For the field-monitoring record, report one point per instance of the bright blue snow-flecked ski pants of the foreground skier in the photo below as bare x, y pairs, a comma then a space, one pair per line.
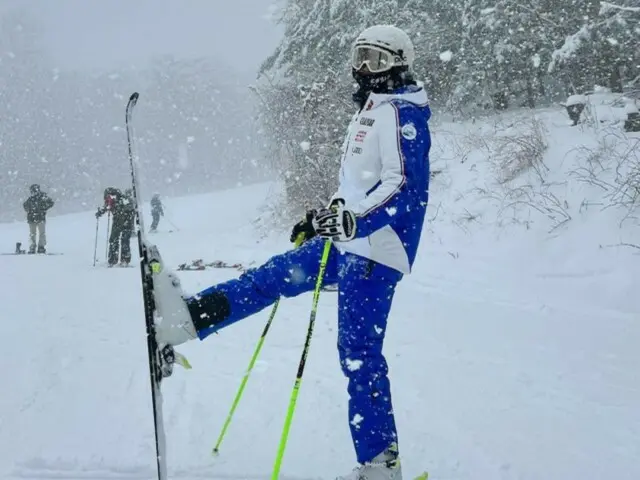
366, 290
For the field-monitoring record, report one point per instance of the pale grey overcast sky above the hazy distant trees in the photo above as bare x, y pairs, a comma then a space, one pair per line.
106, 33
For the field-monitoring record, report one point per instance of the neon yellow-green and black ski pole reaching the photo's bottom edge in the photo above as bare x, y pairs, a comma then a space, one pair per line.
303, 361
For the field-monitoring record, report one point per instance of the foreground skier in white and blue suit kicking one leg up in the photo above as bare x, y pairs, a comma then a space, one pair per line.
374, 222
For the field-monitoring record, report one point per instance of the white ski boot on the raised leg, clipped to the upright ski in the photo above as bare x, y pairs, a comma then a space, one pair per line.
174, 325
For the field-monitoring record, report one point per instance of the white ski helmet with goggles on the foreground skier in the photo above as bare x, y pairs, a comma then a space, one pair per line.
382, 47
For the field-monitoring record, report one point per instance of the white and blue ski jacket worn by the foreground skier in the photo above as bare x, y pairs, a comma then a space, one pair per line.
384, 176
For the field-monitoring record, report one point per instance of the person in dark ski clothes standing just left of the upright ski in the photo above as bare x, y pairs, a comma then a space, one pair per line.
122, 211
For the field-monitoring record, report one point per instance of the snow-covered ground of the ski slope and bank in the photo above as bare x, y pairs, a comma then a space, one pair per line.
513, 351
